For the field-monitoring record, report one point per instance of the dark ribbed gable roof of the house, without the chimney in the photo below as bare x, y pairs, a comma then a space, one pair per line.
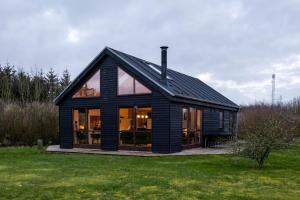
179, 85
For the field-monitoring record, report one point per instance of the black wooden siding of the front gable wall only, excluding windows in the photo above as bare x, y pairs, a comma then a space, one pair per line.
109, 103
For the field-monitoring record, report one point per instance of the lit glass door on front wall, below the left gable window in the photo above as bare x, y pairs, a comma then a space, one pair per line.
87, 126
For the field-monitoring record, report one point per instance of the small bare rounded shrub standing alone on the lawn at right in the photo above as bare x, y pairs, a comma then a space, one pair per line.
262, 129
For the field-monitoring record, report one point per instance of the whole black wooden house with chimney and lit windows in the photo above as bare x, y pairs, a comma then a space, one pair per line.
123, 102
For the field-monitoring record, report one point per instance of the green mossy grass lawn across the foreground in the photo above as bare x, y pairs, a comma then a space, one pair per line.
27, 173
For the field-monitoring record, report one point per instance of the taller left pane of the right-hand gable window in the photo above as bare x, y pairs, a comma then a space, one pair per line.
125, 83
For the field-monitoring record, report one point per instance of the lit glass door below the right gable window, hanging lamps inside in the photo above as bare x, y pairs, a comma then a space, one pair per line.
135, 127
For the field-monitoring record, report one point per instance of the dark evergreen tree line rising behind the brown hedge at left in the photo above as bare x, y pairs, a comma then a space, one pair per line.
20, 86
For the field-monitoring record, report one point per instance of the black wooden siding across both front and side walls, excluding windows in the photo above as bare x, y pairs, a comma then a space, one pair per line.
166, 115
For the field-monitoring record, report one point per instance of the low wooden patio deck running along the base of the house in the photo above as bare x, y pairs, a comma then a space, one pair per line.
187, 152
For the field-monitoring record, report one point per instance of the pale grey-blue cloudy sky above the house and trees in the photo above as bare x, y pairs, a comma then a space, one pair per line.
233, 45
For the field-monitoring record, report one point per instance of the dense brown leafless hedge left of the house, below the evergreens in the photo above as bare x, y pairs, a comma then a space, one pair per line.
25, 124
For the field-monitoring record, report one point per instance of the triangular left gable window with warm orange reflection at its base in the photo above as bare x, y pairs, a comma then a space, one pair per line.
91, 88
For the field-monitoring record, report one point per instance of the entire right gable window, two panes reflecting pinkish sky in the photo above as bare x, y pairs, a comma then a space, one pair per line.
128, 85
